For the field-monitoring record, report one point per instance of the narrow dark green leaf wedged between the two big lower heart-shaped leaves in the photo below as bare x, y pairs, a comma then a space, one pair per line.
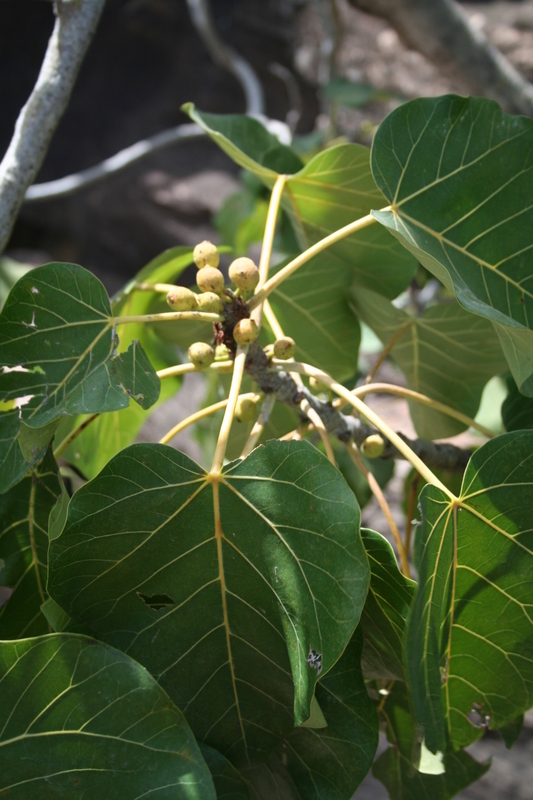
385, 613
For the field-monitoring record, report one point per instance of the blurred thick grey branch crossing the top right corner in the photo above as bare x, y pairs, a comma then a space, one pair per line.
441, 31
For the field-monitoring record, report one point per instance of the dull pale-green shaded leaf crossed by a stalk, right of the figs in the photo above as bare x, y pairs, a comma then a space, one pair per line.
445, 353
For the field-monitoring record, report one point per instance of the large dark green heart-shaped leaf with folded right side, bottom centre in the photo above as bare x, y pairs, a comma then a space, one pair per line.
220, 586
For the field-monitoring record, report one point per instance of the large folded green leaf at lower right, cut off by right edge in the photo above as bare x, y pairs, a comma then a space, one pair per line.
470, 634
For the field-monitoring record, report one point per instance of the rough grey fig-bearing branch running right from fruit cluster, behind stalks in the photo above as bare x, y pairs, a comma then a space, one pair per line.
344, 427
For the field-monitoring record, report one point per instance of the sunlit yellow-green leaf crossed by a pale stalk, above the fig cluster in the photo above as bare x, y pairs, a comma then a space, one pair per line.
334, 189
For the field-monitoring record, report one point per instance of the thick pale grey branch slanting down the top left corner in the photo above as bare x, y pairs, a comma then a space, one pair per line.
73, 30
